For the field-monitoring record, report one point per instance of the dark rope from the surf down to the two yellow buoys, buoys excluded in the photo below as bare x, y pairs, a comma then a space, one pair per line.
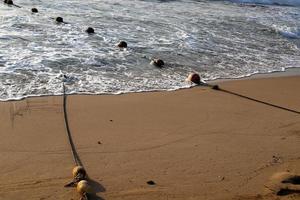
74, 152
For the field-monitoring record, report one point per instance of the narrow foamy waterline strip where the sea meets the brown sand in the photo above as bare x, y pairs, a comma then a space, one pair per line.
294, 71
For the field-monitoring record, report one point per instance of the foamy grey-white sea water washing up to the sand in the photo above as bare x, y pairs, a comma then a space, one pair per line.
217, 39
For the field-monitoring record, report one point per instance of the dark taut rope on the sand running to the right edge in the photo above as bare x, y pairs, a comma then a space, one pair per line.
216, 87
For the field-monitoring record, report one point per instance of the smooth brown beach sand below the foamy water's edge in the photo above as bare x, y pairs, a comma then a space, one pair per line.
194, 144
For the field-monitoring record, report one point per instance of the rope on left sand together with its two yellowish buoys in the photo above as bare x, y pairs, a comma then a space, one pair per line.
80, 177
